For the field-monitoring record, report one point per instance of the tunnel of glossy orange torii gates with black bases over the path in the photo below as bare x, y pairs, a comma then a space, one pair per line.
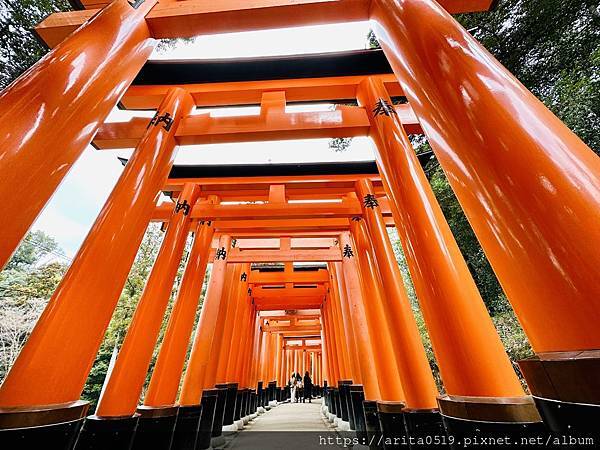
304, 276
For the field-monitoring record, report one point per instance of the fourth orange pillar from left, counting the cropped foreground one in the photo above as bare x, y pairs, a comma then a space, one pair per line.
166, 376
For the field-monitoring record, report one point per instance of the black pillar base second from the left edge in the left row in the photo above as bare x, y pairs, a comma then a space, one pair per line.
100, 433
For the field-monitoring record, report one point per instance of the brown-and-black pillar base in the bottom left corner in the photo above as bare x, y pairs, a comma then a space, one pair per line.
56, 427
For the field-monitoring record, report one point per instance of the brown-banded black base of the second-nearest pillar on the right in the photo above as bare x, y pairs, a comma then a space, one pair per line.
515, 417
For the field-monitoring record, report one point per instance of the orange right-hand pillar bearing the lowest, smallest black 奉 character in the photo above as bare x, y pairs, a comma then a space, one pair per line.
349, 277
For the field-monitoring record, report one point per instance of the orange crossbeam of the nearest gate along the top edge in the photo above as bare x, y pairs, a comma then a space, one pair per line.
178, 19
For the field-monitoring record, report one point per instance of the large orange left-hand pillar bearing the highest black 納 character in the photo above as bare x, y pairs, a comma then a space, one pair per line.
97, 274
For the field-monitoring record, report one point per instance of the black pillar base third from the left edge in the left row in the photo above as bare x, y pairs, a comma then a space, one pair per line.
155, 428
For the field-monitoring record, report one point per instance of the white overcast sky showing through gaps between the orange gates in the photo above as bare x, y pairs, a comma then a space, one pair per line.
71, 212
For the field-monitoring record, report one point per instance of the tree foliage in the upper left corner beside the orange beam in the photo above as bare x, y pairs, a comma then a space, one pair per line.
19, 48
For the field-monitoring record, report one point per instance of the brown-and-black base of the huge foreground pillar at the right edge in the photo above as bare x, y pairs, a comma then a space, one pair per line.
566, 389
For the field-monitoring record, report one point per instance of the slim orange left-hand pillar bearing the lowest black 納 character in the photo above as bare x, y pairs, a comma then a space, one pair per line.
194, 380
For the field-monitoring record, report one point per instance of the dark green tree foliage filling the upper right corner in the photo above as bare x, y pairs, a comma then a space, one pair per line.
553, 48
